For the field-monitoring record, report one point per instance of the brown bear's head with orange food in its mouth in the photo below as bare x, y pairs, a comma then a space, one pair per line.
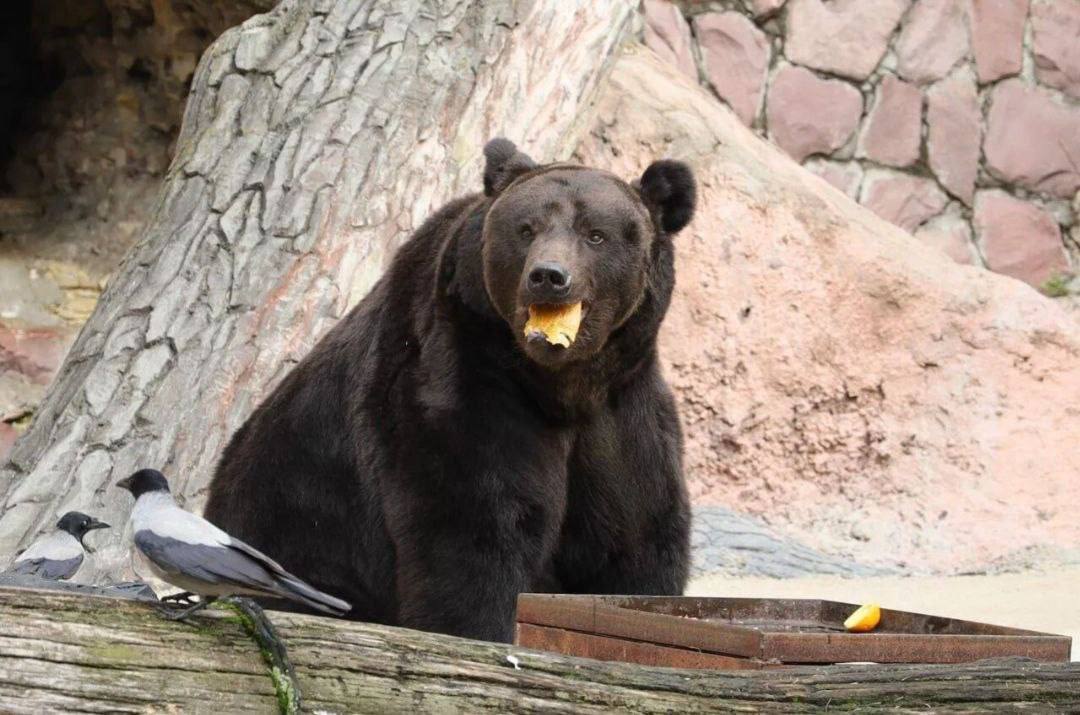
569, 251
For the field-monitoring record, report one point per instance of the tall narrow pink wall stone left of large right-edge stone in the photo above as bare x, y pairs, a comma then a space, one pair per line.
955, 133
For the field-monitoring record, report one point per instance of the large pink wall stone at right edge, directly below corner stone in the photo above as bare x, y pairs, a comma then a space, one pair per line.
1034, 141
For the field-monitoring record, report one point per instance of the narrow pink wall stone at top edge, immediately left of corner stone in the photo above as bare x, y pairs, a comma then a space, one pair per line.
997, 37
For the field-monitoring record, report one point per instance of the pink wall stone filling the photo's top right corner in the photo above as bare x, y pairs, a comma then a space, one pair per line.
1056, 28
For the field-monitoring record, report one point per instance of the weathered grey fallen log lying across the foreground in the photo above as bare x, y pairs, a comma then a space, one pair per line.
61, 653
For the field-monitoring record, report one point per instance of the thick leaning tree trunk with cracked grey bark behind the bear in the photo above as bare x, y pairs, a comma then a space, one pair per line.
316, 139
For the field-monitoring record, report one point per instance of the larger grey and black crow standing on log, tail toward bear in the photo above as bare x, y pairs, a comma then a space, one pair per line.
191, 554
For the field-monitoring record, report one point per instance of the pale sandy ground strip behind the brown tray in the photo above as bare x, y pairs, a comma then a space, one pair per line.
1048, 602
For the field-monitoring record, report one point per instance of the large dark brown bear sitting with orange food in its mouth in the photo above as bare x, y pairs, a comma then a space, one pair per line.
492, 419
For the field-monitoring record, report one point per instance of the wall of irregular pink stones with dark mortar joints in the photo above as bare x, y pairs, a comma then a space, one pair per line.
958, 120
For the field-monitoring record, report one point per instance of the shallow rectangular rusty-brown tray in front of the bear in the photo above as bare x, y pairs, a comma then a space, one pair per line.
754, 633
